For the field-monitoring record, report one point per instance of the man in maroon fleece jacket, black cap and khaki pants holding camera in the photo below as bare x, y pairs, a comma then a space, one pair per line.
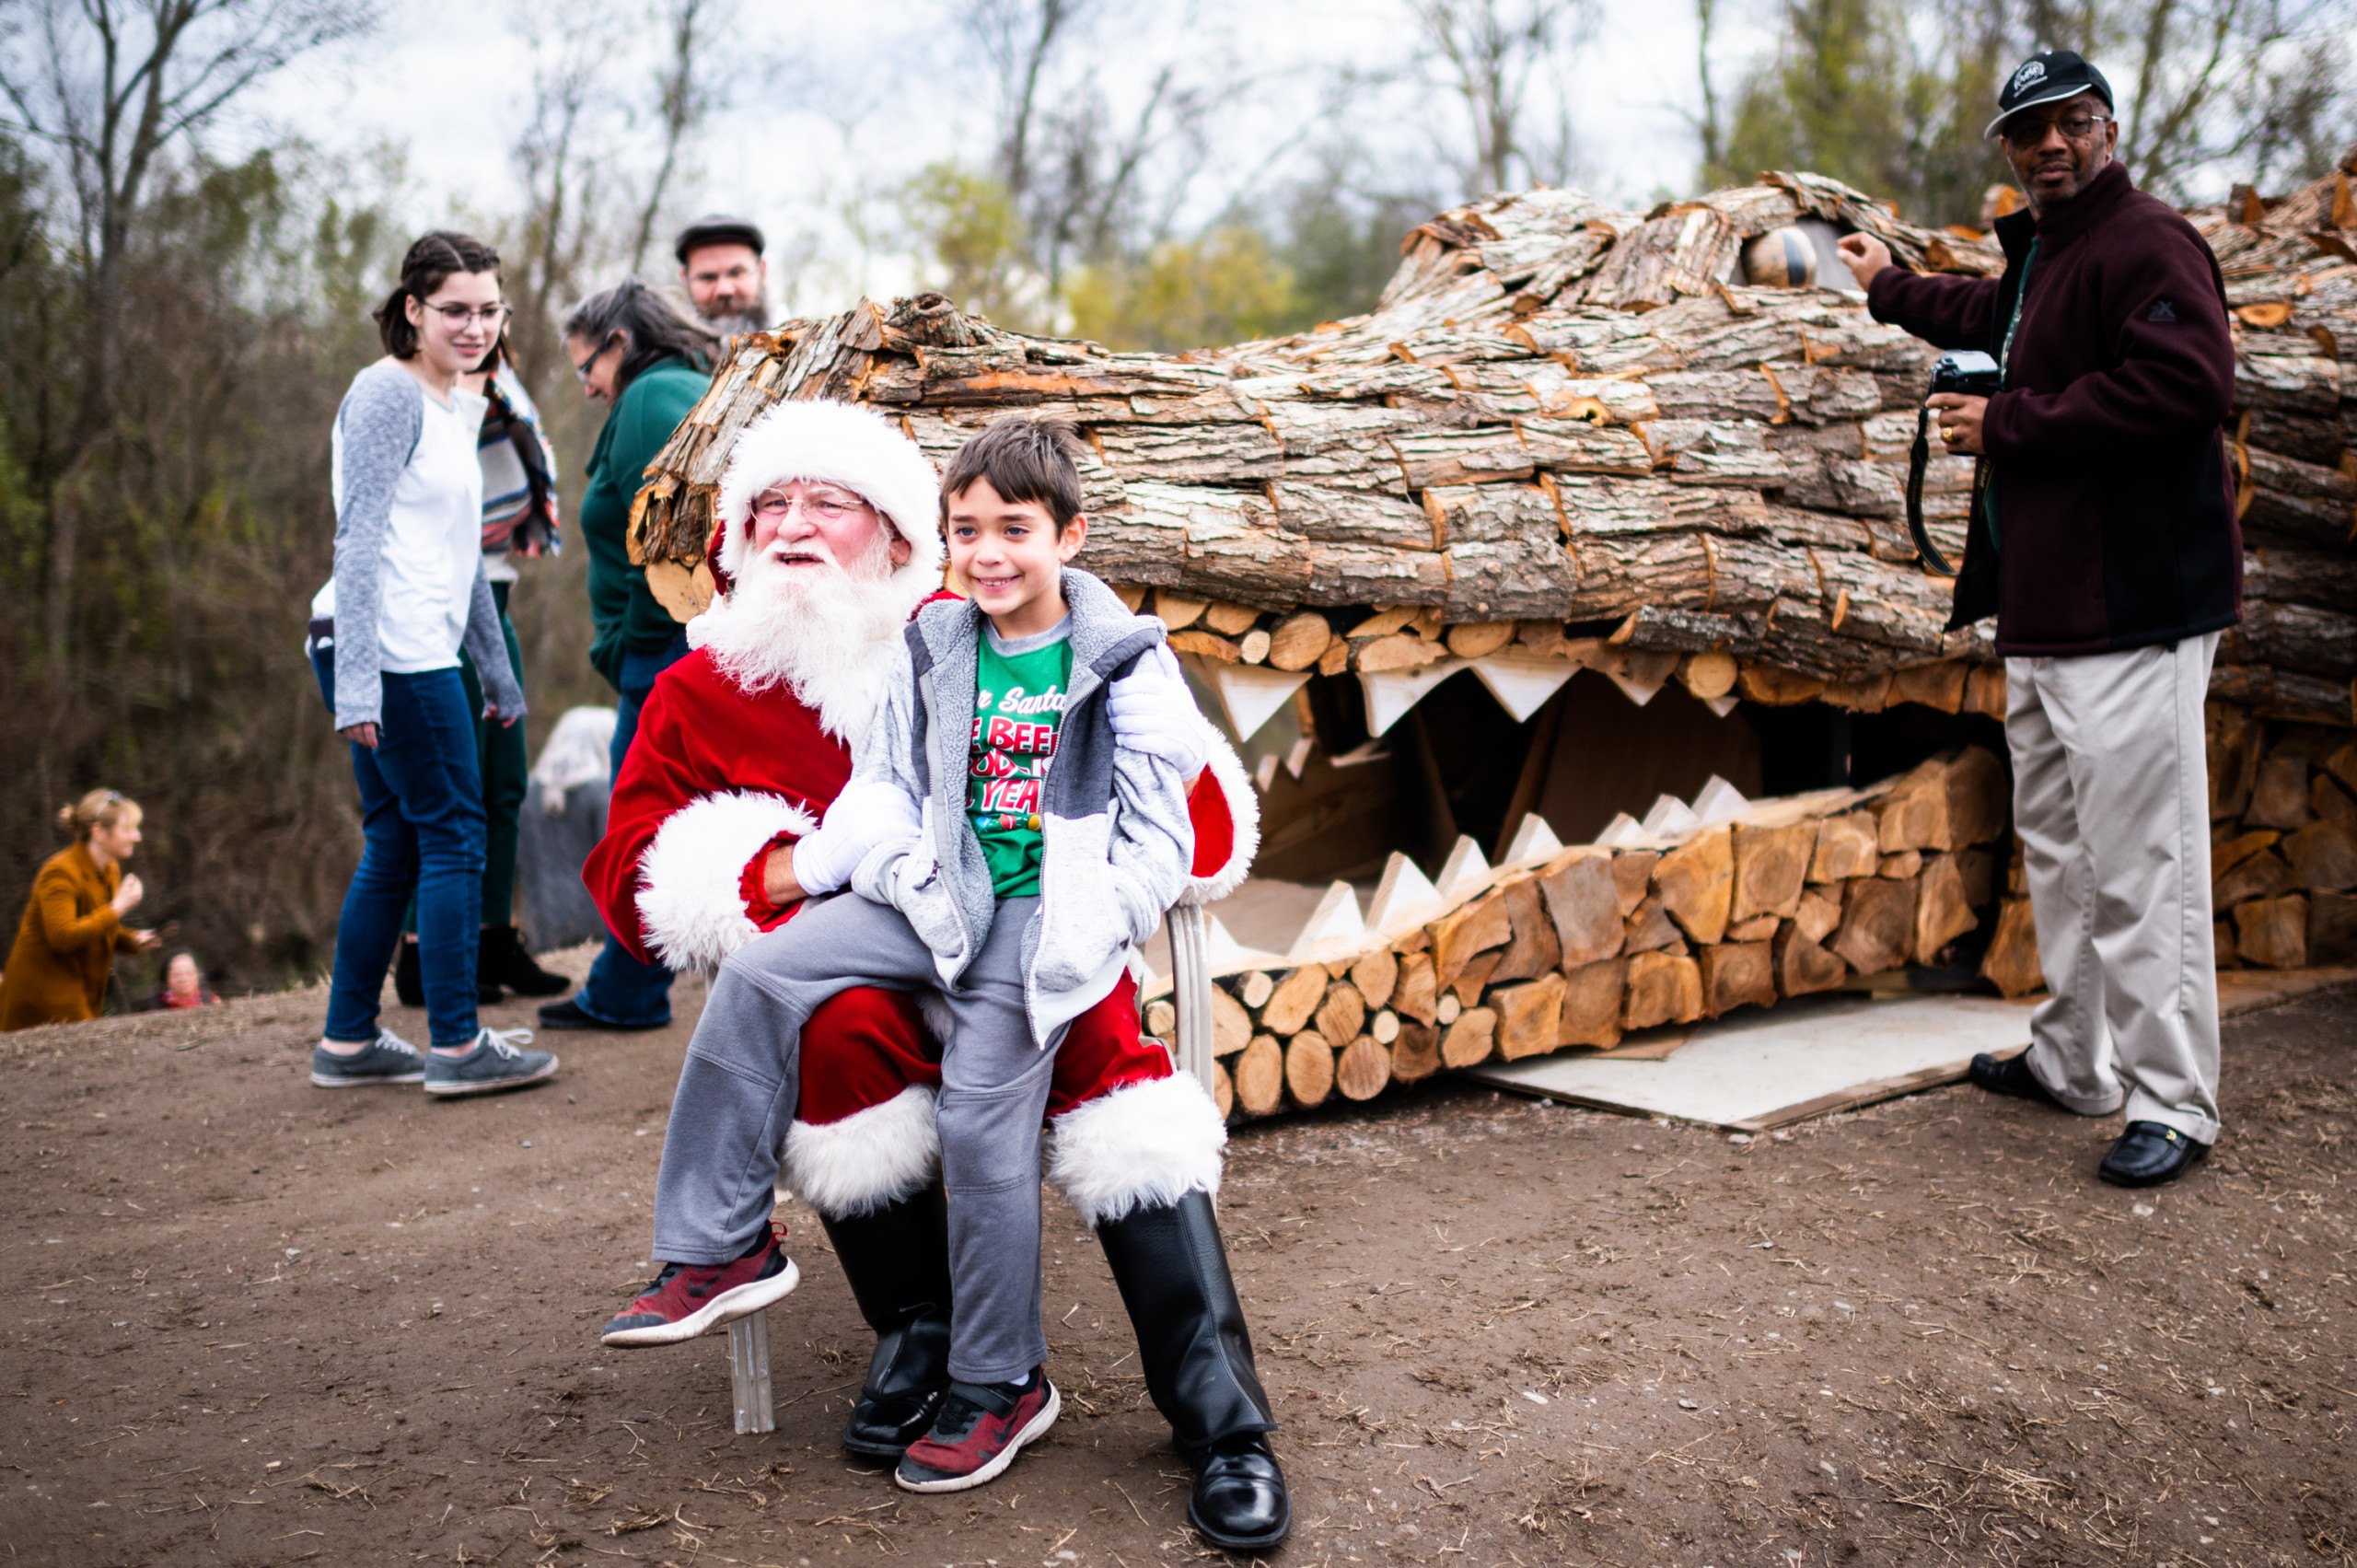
2104, 539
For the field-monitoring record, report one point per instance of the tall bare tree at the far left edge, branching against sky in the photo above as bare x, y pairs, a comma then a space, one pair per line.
112, 88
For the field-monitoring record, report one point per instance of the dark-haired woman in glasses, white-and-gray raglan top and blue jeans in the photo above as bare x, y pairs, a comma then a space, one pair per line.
407, 595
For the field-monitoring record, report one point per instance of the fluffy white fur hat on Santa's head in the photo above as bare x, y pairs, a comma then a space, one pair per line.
836, 444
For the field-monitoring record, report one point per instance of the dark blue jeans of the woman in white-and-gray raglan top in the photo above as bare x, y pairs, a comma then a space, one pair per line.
421, 834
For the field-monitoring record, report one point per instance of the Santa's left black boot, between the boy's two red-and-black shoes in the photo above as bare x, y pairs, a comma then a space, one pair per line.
899, 1267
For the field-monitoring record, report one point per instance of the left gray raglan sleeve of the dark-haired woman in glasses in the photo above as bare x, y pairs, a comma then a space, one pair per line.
383, 419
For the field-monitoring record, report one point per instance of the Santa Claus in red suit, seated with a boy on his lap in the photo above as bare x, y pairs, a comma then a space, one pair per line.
741, 749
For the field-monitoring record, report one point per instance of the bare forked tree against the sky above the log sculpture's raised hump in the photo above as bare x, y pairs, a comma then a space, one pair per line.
1488, 55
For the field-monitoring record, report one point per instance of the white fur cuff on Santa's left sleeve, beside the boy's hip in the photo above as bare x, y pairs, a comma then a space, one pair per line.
692, 902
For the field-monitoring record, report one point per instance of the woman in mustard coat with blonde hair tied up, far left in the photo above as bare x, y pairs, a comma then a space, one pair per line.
74, 921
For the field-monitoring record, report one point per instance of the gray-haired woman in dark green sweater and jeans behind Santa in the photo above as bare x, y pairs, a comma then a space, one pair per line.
647, 362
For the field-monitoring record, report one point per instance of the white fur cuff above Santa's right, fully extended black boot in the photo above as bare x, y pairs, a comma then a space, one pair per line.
1144, 1145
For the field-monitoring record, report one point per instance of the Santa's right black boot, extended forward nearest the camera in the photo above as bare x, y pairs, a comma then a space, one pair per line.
1196, 1352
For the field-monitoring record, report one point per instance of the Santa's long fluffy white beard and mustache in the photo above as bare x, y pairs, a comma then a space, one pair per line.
824, 631
